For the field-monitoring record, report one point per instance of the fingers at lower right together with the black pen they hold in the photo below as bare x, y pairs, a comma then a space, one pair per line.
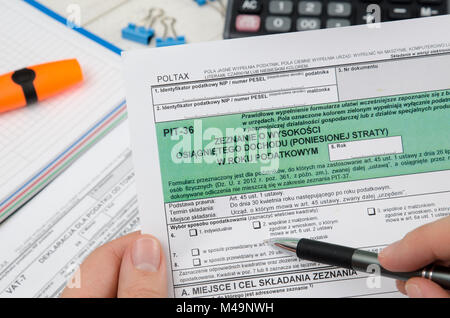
419, 261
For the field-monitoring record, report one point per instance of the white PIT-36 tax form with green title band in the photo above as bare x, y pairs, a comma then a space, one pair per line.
340, 135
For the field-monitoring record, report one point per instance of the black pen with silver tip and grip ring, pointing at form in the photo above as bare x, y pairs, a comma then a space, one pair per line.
356, 259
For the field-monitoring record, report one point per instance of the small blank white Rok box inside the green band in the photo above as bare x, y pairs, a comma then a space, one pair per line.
365, 148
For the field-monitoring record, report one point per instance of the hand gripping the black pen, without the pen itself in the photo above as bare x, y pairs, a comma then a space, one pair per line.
425, 245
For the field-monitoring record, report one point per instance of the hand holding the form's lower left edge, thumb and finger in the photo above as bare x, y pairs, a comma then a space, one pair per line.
131, 266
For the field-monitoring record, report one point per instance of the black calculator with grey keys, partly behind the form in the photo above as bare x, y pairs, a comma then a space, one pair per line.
259, 17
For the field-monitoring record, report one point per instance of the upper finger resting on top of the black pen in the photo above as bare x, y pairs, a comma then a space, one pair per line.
418, 248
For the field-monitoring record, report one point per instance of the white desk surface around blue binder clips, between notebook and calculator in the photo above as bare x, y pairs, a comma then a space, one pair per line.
107, 18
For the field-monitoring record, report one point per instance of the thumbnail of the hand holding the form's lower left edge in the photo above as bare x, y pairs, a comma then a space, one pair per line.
146, 254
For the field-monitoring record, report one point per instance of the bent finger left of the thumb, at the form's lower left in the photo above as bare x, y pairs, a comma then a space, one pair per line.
100, 270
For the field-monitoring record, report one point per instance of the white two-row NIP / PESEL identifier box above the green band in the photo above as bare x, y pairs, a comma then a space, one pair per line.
238, 94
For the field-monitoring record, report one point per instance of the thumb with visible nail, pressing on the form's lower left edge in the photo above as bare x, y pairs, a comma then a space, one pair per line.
143, 270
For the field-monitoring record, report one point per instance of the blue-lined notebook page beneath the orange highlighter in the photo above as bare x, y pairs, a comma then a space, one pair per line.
31, 137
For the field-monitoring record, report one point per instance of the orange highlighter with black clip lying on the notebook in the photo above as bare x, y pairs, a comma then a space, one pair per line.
34, 84
